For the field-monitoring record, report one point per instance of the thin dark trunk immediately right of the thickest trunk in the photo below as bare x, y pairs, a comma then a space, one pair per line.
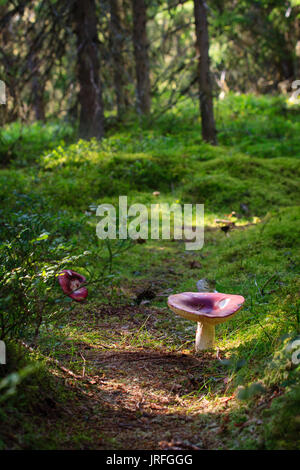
116, 47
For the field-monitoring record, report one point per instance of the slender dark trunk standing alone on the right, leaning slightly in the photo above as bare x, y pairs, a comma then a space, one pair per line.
203, 73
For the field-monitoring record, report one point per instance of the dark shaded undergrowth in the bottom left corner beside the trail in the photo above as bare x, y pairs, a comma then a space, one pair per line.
34, 405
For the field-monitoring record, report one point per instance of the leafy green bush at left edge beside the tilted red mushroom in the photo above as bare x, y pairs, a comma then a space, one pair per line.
34, 248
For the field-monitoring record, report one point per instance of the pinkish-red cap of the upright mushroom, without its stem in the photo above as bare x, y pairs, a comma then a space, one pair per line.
205, 307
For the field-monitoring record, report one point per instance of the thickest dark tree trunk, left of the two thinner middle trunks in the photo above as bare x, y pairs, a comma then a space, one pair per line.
90, 92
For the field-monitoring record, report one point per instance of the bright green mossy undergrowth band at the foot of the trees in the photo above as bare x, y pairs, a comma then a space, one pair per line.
168, 155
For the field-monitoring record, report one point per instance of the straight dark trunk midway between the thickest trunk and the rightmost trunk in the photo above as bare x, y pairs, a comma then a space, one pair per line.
140, 44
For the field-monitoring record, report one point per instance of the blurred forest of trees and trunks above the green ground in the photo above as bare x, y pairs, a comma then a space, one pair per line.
80, 60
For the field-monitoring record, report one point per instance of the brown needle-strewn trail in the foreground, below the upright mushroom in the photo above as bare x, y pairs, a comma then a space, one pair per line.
138, 398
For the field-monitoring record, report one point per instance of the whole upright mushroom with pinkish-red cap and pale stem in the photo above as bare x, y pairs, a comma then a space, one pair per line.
207, 309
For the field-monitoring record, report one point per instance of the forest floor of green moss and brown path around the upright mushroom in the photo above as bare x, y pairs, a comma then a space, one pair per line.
120, 371
